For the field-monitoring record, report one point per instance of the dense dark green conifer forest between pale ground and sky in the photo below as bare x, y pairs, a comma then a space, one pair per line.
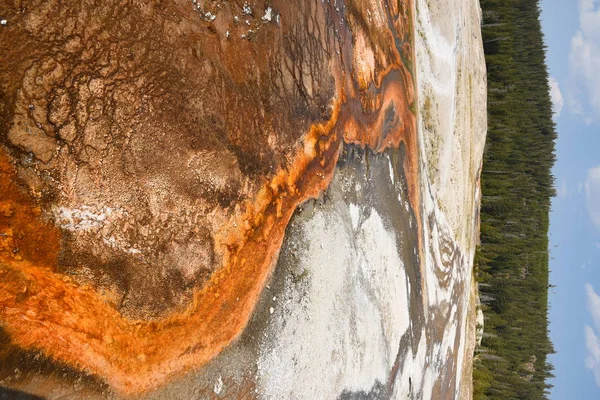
512, 260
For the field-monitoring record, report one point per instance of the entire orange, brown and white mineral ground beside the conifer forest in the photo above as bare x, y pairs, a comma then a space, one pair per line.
239, 199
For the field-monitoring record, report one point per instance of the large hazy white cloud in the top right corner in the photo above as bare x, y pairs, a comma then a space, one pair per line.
584, 62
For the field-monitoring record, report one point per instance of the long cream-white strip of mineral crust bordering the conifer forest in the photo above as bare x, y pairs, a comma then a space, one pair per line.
452, 86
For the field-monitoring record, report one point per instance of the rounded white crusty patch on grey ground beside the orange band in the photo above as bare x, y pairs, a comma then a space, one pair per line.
333, 332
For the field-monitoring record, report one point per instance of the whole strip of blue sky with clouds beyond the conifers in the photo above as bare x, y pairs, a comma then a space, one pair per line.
572, 32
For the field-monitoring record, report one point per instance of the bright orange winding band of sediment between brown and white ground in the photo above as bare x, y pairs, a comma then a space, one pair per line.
70, 322
